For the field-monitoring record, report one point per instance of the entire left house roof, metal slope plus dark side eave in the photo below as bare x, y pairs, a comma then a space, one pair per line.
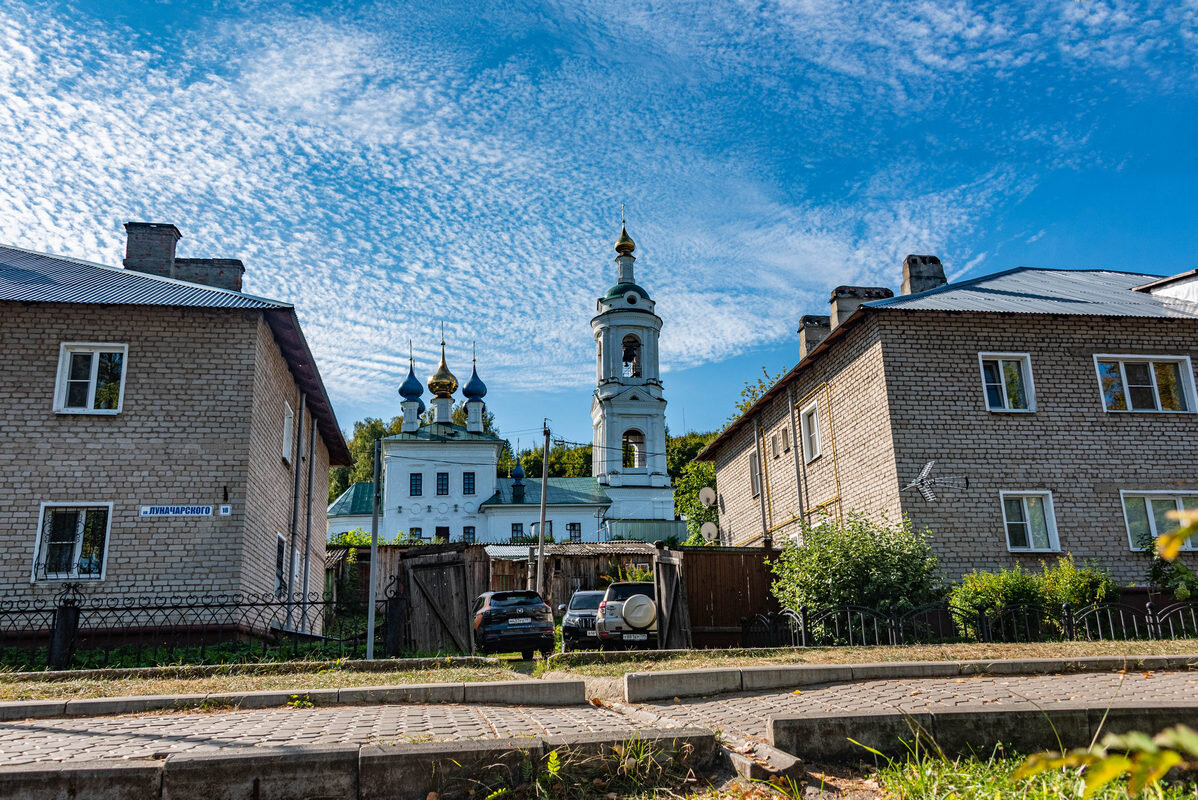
29, 277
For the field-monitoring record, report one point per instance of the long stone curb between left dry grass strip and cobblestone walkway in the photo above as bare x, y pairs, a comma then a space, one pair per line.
500, 693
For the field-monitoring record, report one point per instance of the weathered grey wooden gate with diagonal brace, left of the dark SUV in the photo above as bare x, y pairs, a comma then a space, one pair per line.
438, 589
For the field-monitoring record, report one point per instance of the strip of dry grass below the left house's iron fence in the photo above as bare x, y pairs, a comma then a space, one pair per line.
20, 690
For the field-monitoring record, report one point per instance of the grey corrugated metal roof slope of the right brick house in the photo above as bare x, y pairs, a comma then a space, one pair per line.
1046, 292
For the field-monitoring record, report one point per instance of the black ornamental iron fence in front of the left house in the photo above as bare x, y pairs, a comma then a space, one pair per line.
74, 631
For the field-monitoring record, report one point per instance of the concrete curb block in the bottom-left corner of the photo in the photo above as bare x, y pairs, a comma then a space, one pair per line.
111, 780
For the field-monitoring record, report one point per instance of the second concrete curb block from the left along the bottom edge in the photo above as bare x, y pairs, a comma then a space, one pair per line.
329, 773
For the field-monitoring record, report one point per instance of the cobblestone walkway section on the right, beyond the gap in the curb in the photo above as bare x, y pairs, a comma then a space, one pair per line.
746, 714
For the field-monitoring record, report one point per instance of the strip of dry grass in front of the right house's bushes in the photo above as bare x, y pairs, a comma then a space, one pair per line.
625, 663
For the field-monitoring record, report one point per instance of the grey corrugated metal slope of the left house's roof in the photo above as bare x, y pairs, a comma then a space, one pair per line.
32, 277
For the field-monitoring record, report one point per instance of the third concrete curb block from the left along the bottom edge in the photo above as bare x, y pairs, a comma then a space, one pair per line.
449, 768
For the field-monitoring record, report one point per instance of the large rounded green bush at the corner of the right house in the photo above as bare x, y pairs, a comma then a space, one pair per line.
857, 562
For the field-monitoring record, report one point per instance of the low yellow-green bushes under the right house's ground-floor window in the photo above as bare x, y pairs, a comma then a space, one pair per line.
1052, 587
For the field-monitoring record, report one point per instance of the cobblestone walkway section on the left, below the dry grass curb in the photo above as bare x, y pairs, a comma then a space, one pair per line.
160, 735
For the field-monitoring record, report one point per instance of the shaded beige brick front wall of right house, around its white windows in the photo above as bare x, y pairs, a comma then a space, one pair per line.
1070, 446
